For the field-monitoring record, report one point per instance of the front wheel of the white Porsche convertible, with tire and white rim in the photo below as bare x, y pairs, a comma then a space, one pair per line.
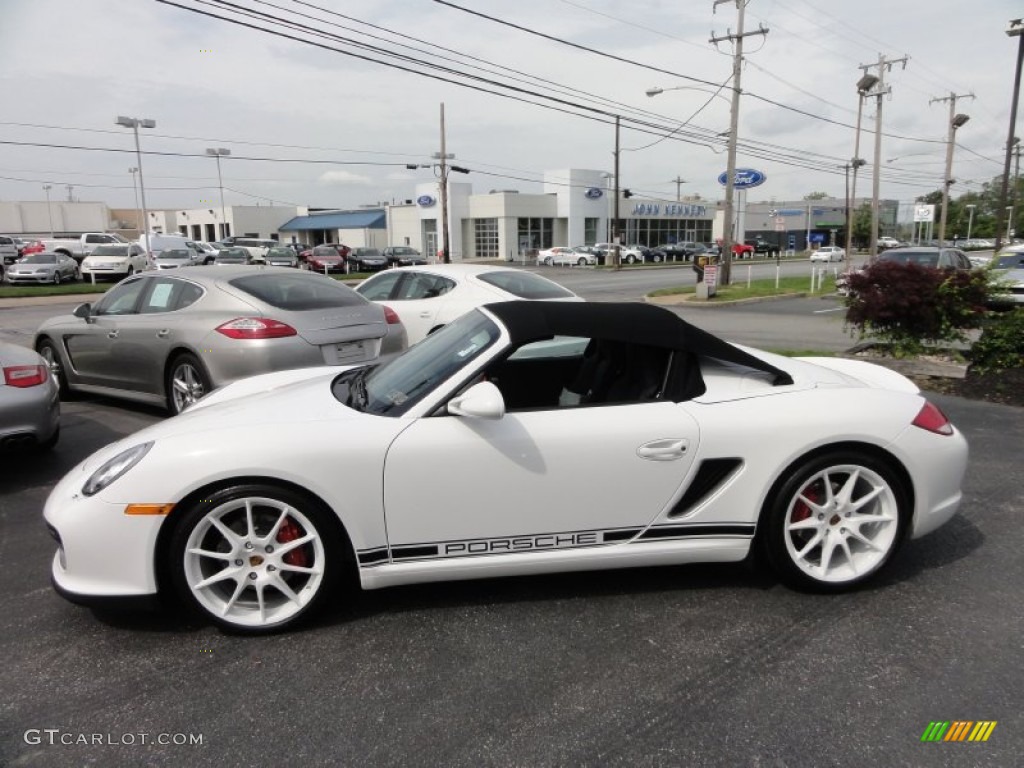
257, 559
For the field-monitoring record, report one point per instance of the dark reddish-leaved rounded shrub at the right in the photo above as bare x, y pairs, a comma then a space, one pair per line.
910, 307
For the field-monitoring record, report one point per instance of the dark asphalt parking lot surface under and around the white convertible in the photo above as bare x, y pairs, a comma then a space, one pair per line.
716, 666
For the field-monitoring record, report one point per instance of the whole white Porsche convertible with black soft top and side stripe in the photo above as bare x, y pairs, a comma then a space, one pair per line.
525, 438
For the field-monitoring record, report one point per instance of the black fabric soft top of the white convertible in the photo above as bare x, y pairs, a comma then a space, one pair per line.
631, 323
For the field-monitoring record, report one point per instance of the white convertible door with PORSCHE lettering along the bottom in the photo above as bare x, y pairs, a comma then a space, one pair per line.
534, 480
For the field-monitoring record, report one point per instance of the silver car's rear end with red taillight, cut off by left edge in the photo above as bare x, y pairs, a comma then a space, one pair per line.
30, 406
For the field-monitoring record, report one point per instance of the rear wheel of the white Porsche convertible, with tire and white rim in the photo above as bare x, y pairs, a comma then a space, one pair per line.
836, 523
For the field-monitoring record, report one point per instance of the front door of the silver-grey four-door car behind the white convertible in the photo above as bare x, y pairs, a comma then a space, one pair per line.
92, 344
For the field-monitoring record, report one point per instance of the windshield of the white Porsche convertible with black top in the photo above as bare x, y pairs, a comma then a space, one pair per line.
395, 388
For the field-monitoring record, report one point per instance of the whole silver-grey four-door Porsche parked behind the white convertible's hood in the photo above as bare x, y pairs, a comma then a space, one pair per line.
170, 337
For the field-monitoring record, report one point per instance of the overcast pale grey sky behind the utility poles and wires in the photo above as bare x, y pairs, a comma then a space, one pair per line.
71, 67
